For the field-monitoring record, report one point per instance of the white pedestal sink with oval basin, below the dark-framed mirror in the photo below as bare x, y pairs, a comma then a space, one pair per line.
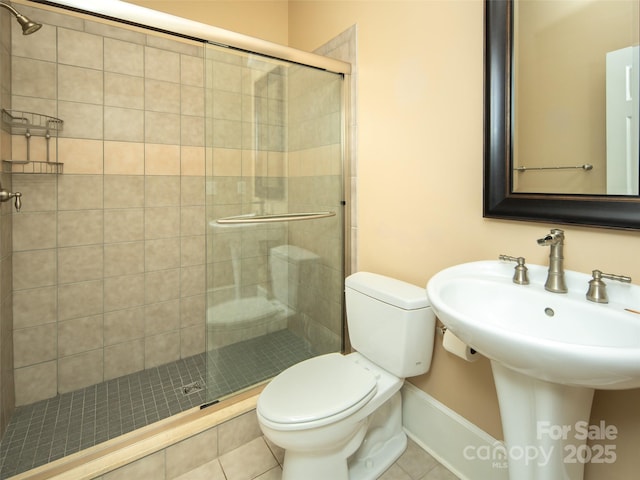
548, 353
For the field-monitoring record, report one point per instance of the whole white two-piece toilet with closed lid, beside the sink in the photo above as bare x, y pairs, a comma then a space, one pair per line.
337, 416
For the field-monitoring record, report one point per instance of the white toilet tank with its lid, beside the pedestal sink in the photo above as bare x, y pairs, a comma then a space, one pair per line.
390, 322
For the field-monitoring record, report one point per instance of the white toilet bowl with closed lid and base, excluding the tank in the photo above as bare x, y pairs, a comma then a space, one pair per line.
326, 417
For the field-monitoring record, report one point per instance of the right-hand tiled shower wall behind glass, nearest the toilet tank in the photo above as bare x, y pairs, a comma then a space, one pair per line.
315, 184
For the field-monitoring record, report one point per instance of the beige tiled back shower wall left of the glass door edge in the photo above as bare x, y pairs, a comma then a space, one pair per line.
109, 257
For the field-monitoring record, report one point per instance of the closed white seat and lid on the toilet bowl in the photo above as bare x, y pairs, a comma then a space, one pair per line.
316, 392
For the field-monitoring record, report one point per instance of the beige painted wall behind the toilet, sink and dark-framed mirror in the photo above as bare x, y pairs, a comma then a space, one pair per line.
420, 180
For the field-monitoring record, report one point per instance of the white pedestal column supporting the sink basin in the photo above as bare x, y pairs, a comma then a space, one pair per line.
539, 424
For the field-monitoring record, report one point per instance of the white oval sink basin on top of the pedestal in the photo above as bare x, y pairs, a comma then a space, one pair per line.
561, 338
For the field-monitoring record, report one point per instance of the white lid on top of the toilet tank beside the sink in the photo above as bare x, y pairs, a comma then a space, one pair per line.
389, 290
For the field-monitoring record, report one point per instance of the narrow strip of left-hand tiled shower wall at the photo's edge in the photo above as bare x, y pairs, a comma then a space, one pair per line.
6, 315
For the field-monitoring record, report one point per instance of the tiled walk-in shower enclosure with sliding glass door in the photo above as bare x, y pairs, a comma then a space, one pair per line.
182, 237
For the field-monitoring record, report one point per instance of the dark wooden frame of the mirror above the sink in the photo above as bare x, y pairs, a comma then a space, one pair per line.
612, 211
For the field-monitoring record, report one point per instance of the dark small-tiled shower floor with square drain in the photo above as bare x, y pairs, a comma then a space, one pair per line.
51, 429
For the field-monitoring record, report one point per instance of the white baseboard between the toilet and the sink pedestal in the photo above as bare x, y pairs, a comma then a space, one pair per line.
455, 442
